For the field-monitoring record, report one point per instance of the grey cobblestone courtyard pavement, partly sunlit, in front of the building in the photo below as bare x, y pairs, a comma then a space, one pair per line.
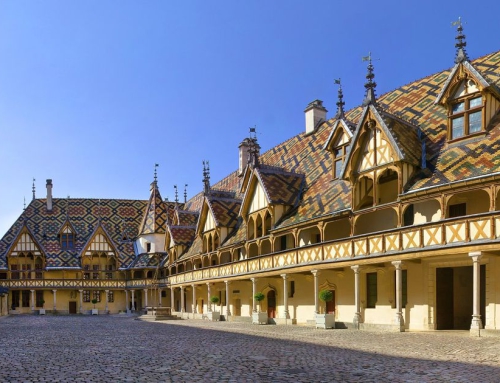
121, 349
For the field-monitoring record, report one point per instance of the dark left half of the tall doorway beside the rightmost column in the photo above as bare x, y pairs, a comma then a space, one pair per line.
444, 298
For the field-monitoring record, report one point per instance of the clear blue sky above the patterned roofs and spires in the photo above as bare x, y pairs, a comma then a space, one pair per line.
94, 93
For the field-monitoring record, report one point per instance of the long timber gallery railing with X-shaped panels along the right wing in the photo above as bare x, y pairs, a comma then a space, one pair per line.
450, 232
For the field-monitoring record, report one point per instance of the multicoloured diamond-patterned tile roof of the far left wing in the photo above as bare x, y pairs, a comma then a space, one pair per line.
116, 216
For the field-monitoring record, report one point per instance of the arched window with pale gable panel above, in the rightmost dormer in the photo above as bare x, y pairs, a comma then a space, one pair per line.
466, 114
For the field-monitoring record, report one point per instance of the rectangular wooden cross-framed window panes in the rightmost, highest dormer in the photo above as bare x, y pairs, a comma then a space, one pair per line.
466, 116
